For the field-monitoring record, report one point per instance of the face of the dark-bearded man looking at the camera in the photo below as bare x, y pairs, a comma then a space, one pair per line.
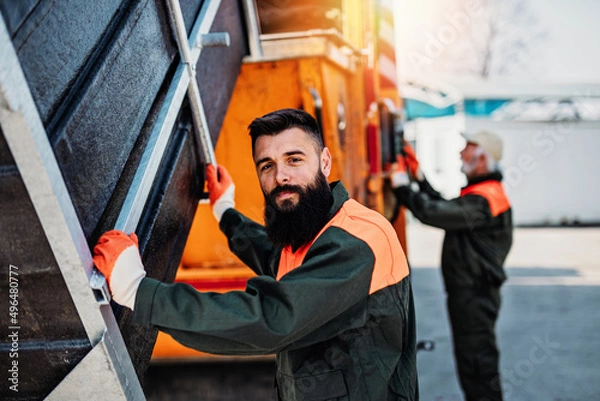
287, 162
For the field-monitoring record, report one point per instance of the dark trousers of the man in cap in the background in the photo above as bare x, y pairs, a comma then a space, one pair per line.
473, 313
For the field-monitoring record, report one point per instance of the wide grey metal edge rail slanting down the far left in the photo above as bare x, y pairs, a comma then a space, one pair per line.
29, 145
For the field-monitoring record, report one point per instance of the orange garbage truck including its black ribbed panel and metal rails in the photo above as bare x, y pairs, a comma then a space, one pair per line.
108, 115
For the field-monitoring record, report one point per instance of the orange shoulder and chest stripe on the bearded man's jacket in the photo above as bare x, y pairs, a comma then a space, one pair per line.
390, 262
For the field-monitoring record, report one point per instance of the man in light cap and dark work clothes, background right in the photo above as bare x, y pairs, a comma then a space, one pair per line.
478, 236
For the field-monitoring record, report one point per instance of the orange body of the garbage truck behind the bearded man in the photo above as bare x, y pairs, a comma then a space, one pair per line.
334, 59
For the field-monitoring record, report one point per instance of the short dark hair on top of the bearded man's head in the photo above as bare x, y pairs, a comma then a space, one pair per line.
277, 121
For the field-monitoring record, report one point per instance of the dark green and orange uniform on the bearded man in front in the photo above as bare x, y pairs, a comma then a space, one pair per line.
338, 312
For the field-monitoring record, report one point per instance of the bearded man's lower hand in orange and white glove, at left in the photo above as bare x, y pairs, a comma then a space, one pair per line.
117, 257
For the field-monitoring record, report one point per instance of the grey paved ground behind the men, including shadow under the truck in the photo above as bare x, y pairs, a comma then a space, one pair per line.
548, 327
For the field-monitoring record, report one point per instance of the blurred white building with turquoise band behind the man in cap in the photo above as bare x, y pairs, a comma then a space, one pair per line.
551, 136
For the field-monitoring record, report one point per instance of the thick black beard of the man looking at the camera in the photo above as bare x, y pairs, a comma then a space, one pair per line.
297, 225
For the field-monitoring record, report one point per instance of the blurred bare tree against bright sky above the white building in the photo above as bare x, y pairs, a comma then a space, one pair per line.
479, 38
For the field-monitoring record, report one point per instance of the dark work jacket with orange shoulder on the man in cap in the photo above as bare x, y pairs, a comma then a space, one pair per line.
478, 225
